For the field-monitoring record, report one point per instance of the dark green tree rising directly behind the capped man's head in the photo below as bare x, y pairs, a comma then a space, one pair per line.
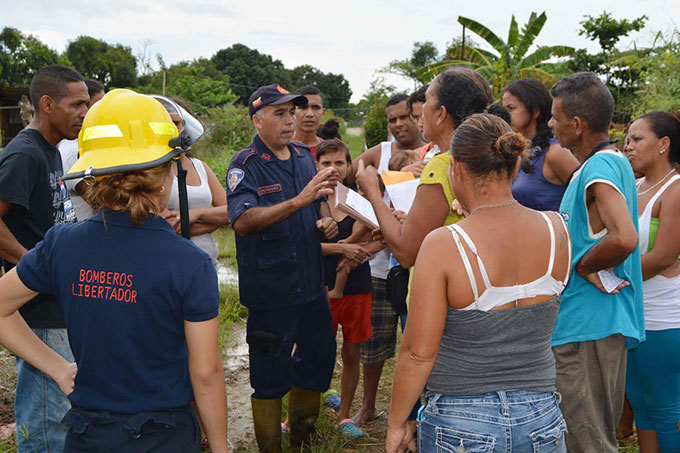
248, 69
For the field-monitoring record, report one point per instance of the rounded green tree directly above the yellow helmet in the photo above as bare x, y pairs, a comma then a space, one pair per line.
113, 65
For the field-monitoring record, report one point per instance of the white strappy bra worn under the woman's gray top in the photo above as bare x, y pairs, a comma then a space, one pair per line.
494, 296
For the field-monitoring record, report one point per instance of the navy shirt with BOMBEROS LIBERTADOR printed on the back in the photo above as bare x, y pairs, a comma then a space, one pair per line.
125, 291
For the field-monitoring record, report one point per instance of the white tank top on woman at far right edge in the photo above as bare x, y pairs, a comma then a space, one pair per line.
661, 294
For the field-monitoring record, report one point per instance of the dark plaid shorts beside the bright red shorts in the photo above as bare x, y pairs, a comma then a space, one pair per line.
384, 320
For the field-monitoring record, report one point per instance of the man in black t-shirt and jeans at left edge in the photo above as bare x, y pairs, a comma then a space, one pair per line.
32, 199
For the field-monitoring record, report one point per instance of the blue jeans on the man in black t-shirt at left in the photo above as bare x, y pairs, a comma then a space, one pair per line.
39, 403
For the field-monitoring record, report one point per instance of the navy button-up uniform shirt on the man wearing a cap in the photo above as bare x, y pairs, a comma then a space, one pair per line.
282, 265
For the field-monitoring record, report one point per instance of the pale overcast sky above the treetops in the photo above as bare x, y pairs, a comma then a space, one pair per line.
351, 37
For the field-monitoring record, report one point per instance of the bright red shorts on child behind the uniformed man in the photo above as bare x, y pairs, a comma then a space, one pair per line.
353, 313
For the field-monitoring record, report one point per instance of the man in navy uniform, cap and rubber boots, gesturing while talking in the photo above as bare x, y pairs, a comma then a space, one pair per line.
273, 194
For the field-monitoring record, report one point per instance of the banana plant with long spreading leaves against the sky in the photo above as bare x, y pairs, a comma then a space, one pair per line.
510, 60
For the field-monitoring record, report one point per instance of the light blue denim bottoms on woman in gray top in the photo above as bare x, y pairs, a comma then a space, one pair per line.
505, 421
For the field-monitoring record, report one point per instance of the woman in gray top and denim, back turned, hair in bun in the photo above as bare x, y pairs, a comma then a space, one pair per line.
484, 301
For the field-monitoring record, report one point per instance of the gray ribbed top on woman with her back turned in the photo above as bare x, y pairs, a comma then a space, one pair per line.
488, 351
